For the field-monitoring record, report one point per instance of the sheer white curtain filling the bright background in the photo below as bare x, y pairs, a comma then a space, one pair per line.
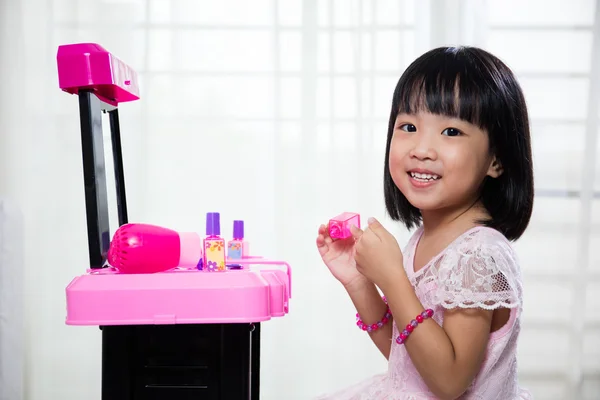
282, 106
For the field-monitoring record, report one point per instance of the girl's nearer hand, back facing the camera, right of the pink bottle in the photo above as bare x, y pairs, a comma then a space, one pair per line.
377, 254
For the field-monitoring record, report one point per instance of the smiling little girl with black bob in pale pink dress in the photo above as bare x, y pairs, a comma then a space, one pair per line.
458, 167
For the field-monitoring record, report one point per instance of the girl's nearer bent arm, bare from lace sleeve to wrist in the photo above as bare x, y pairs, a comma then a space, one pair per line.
449, 357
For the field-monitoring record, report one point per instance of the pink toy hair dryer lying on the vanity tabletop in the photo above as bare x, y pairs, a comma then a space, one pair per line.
146, 249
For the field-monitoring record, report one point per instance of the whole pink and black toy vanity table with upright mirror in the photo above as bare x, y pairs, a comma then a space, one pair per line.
180, 334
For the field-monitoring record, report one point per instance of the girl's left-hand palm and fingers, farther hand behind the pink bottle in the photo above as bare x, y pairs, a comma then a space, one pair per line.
338, 255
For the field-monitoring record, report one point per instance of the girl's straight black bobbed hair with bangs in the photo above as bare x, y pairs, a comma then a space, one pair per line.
473, 85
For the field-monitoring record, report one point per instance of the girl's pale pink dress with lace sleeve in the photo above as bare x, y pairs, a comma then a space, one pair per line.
479, 269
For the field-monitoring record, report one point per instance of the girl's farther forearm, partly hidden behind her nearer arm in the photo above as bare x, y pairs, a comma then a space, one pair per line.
371, 308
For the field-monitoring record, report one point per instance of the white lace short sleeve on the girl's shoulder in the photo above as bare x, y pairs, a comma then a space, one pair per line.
480, 272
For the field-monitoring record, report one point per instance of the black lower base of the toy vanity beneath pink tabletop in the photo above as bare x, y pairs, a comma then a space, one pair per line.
181, 362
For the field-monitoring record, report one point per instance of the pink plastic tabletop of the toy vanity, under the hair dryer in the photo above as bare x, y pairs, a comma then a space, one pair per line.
106, 297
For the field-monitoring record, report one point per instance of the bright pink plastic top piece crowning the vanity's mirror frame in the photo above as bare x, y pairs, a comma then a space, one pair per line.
89, 66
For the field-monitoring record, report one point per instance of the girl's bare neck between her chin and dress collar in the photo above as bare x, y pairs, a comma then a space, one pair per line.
455, 220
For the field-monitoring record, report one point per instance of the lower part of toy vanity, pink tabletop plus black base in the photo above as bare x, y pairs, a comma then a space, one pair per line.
181, 334
